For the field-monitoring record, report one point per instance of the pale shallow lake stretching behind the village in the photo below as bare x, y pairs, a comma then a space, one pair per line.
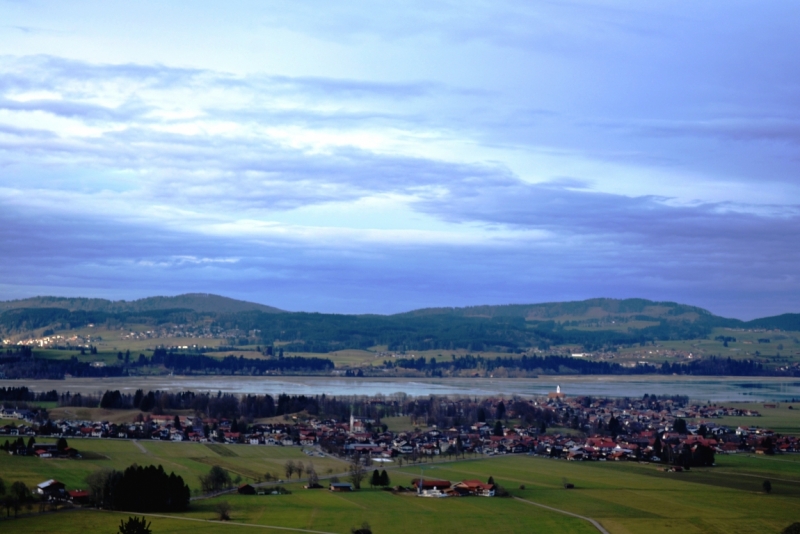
716, 389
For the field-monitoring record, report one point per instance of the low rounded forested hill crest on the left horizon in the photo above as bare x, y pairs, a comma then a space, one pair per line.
196, 302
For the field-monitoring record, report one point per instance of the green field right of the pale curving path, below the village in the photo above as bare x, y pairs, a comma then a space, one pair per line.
629, 497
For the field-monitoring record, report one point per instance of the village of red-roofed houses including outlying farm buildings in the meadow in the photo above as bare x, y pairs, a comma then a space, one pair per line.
669, 433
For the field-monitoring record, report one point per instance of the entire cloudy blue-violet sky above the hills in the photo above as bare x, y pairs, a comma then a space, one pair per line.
362, 157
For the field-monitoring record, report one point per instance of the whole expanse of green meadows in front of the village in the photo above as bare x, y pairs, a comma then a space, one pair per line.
625, 497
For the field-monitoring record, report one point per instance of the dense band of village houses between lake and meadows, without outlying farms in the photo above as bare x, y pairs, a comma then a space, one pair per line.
639, 430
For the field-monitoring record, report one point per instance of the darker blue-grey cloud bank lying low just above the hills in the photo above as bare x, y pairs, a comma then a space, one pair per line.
89, 255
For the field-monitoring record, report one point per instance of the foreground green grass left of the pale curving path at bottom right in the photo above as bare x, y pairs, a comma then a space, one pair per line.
323, 511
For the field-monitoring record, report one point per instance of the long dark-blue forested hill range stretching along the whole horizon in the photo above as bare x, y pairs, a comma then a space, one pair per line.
595, 324
